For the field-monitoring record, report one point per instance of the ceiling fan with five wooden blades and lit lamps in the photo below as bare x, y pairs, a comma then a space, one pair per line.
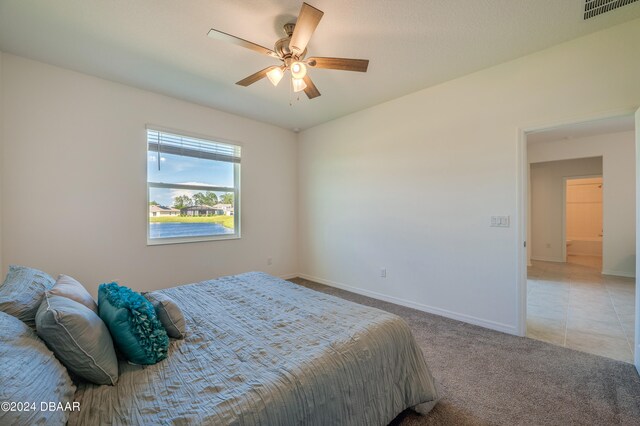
291, 50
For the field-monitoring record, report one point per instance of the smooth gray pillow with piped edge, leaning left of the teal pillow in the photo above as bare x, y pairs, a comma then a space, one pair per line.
79, 339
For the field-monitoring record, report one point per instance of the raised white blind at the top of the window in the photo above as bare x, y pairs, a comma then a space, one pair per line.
169, 143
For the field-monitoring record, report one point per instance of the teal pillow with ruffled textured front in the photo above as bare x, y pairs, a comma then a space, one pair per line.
133, 324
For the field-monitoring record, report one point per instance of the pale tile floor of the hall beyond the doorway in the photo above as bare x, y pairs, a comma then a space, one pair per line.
573, 305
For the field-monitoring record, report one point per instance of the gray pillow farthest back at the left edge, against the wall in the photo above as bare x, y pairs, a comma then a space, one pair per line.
22, 291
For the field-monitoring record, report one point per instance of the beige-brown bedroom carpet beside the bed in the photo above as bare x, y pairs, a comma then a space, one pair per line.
491, 378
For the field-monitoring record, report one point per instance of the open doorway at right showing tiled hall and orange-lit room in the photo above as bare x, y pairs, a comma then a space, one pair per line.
578, 289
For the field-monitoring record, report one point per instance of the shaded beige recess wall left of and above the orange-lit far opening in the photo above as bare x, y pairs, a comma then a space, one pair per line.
547, 187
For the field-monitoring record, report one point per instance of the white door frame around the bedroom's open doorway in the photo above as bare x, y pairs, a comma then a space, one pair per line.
522, 213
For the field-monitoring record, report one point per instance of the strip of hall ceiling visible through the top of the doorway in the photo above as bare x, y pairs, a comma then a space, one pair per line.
625, 123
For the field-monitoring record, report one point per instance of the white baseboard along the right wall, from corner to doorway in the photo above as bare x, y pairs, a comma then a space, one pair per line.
493, 325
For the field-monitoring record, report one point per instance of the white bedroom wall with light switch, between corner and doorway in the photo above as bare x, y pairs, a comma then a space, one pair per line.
411, 184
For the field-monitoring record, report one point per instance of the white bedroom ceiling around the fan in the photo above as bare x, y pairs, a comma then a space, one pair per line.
162, 45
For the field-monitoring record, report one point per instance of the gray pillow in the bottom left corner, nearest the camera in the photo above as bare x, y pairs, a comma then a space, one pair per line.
31, 374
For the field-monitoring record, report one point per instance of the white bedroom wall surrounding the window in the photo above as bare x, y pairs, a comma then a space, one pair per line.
74, 182
